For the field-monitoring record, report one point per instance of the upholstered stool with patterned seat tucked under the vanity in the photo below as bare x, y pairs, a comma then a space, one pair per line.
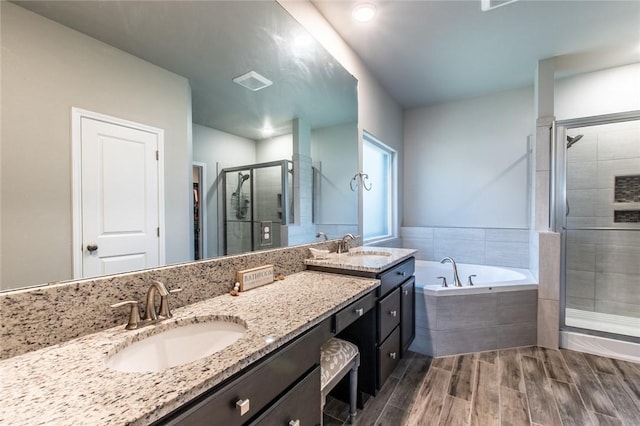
337, 358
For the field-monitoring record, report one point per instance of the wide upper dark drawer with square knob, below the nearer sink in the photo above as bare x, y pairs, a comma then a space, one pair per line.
260, 386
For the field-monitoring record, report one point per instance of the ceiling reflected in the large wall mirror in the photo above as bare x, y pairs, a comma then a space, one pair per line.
212, 42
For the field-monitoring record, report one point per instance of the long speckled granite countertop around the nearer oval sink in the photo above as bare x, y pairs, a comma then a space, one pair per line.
69, 383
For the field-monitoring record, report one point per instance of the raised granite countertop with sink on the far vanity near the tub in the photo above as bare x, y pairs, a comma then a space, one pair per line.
365, 259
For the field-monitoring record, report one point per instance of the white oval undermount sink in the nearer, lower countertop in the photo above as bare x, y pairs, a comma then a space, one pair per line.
176, 346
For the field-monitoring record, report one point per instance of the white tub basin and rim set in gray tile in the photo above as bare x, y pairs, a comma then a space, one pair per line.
487, 279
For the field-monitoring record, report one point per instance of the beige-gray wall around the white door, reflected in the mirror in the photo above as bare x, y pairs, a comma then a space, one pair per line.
46, 70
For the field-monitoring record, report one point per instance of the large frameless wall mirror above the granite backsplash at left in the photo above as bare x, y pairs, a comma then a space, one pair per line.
242, 169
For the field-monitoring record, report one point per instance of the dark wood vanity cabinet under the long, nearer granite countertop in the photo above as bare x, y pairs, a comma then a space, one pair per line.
281, 389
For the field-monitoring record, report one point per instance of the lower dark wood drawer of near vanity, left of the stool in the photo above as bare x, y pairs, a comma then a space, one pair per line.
296, 405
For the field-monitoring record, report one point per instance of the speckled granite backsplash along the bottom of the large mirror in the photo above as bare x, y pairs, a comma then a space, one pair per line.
35, 318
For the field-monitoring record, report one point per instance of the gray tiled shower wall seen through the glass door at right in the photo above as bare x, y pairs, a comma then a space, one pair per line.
602, 265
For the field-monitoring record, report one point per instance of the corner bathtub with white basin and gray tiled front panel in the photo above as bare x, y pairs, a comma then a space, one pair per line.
498, 312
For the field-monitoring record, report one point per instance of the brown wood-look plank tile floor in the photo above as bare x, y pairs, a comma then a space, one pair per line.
524, 386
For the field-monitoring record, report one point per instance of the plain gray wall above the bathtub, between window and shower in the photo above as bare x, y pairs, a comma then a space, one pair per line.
466, 162
